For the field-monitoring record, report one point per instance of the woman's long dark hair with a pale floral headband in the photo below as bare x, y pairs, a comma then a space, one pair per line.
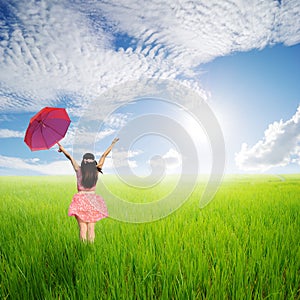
89, 170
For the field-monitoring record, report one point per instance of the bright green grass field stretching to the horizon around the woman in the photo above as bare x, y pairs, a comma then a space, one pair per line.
243, 245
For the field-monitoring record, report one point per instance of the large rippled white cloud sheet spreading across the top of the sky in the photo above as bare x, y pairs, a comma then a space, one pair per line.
48, 48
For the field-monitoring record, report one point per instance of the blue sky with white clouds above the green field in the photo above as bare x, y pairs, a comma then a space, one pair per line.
242, 59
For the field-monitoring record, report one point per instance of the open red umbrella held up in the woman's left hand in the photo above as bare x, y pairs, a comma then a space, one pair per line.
47, 128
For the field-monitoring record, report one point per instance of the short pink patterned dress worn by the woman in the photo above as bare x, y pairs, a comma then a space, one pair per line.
86, 204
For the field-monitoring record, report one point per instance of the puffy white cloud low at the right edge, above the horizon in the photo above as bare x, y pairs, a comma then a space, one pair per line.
279, 147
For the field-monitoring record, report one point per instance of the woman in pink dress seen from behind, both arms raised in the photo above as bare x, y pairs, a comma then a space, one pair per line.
86, 206
